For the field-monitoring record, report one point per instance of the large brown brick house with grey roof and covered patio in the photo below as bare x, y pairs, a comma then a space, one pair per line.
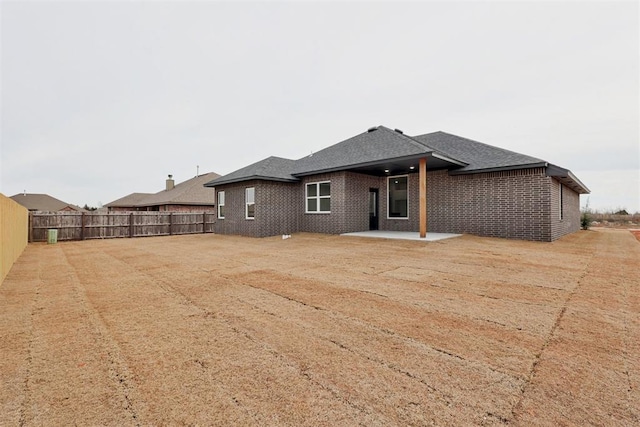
383, 179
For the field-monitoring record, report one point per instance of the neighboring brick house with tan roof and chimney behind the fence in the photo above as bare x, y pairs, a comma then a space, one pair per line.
189, 195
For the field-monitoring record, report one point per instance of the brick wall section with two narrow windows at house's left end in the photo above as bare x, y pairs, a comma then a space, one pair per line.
277, 209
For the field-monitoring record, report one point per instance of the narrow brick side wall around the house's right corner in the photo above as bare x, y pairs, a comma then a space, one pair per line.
570, 221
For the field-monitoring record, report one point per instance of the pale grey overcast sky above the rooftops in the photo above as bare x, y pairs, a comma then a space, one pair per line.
102, 99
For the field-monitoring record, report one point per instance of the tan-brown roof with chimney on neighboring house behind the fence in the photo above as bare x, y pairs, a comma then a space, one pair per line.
189, 192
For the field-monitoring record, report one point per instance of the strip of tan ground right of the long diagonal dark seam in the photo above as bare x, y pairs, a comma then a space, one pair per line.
588, 351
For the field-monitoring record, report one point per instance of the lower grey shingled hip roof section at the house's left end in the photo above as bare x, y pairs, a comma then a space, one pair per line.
271, 168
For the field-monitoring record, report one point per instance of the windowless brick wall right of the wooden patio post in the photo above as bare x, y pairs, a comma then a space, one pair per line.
511, 204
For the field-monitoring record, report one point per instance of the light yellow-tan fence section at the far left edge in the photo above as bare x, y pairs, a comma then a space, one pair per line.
13, 233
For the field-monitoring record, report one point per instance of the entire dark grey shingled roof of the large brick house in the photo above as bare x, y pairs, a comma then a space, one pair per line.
380, 144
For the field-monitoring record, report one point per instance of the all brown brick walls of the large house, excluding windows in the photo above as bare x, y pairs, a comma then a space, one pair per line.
521, 204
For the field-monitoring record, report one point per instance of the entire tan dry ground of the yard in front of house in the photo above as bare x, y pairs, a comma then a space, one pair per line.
323, 330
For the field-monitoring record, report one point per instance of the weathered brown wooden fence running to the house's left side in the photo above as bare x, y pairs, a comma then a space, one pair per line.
83, 226
